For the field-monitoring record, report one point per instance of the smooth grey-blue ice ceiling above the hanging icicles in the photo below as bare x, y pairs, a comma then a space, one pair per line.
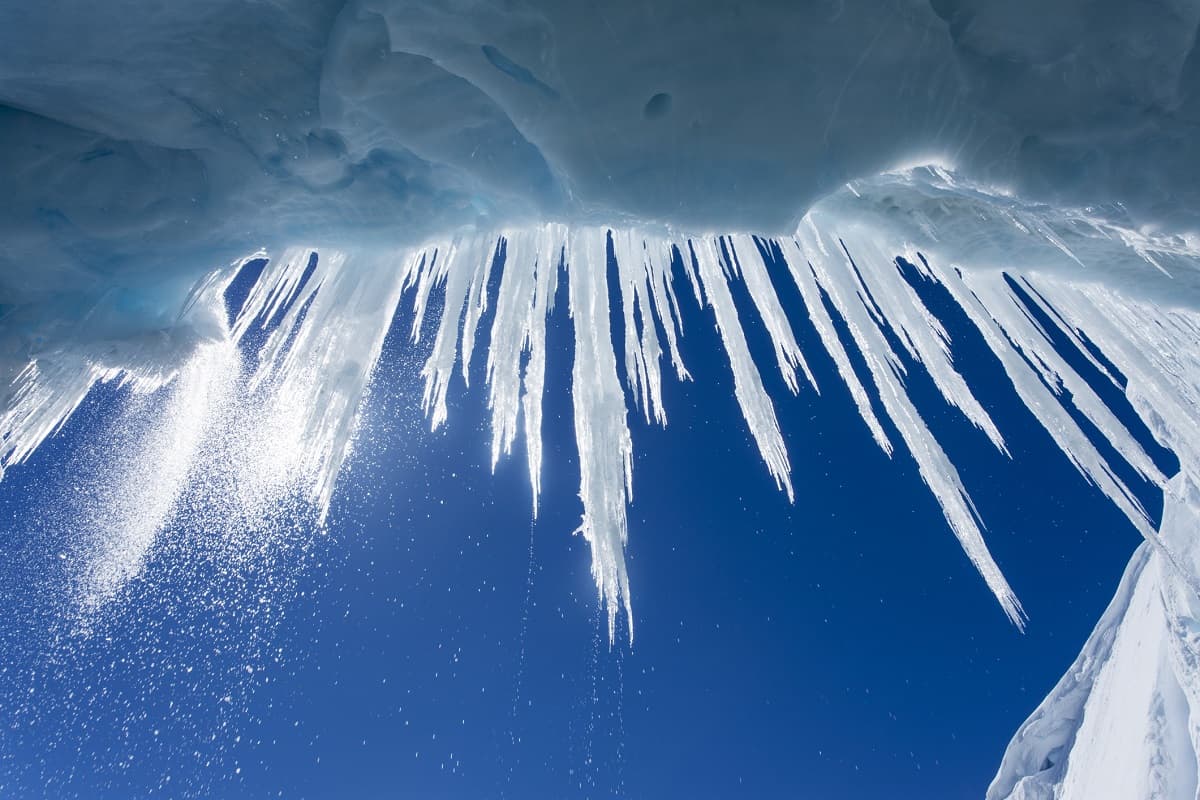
149, 135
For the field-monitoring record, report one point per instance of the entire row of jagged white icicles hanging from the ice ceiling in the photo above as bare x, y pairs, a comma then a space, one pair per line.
328, 318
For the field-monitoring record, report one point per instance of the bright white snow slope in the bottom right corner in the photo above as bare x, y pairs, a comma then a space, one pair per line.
1121, 721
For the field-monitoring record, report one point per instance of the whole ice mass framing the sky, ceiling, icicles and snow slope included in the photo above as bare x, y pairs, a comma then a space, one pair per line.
1039, 164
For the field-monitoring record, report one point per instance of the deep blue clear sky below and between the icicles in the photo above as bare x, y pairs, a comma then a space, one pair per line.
842, 647
